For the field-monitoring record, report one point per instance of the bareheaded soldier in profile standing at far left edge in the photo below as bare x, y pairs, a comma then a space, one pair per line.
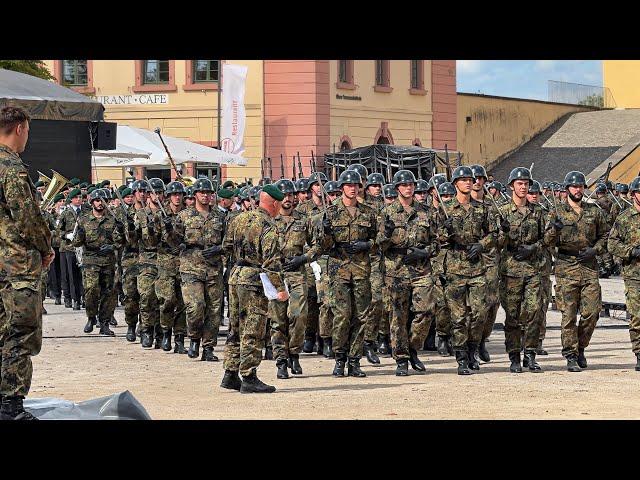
25, 247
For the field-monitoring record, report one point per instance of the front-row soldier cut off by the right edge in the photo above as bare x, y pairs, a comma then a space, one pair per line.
624, 243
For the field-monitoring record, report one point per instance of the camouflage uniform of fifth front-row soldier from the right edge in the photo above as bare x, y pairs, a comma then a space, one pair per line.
412, 286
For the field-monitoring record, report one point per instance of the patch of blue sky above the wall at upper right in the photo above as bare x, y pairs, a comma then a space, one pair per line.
523, 78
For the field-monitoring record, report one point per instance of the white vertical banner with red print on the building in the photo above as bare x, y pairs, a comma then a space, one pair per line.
233, 113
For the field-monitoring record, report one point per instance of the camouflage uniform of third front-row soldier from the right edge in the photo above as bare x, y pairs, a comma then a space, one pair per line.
520, 280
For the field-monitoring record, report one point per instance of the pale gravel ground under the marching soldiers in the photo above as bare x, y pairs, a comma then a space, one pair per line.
75, 366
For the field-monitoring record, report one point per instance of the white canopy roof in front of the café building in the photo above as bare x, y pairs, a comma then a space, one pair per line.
137, 147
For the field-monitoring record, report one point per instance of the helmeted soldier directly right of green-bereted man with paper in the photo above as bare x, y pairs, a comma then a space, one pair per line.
297, 245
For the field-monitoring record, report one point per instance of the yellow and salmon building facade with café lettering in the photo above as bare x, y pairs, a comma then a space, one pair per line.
293, 107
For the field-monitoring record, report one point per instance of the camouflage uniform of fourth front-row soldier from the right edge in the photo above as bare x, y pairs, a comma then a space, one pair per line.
466, 282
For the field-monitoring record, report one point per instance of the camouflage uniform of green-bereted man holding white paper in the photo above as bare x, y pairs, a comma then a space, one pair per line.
253, 243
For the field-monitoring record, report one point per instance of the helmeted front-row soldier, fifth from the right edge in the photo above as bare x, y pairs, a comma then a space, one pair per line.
408, 240
